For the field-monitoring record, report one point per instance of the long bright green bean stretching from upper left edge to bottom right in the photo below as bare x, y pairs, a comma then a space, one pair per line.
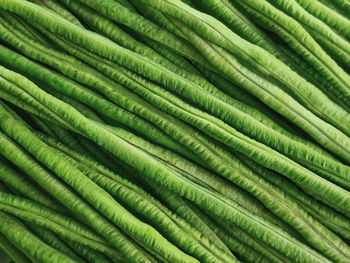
174, 181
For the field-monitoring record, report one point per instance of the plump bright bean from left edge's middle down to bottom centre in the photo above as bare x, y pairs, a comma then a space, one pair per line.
101, 200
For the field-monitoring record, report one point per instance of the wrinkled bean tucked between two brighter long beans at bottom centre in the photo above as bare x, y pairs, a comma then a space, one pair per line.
130, 195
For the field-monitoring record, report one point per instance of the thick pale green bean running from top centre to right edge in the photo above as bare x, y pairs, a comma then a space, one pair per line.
280, 72
